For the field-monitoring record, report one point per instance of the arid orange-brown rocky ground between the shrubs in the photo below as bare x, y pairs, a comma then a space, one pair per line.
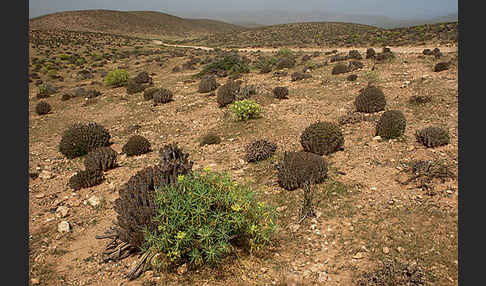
364, 215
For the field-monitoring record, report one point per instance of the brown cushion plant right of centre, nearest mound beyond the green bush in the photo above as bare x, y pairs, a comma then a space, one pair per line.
299, 168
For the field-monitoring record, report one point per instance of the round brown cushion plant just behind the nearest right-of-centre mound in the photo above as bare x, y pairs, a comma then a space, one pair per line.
322, 138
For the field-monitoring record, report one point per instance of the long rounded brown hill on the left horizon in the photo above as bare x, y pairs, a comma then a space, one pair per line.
133, 23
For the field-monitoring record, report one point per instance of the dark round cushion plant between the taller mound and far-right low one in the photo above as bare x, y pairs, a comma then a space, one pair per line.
391, 124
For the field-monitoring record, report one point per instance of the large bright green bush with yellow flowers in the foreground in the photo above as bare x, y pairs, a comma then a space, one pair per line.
203, 218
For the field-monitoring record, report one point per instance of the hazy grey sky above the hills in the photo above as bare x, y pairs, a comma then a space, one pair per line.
400, 9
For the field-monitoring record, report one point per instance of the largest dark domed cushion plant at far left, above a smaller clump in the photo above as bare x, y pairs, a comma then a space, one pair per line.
81, 138
